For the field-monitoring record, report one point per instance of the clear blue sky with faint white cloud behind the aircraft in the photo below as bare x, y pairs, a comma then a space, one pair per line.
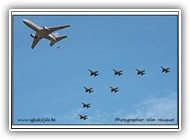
48, 82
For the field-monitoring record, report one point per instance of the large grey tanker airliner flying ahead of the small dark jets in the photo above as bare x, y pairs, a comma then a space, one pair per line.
44, 32
